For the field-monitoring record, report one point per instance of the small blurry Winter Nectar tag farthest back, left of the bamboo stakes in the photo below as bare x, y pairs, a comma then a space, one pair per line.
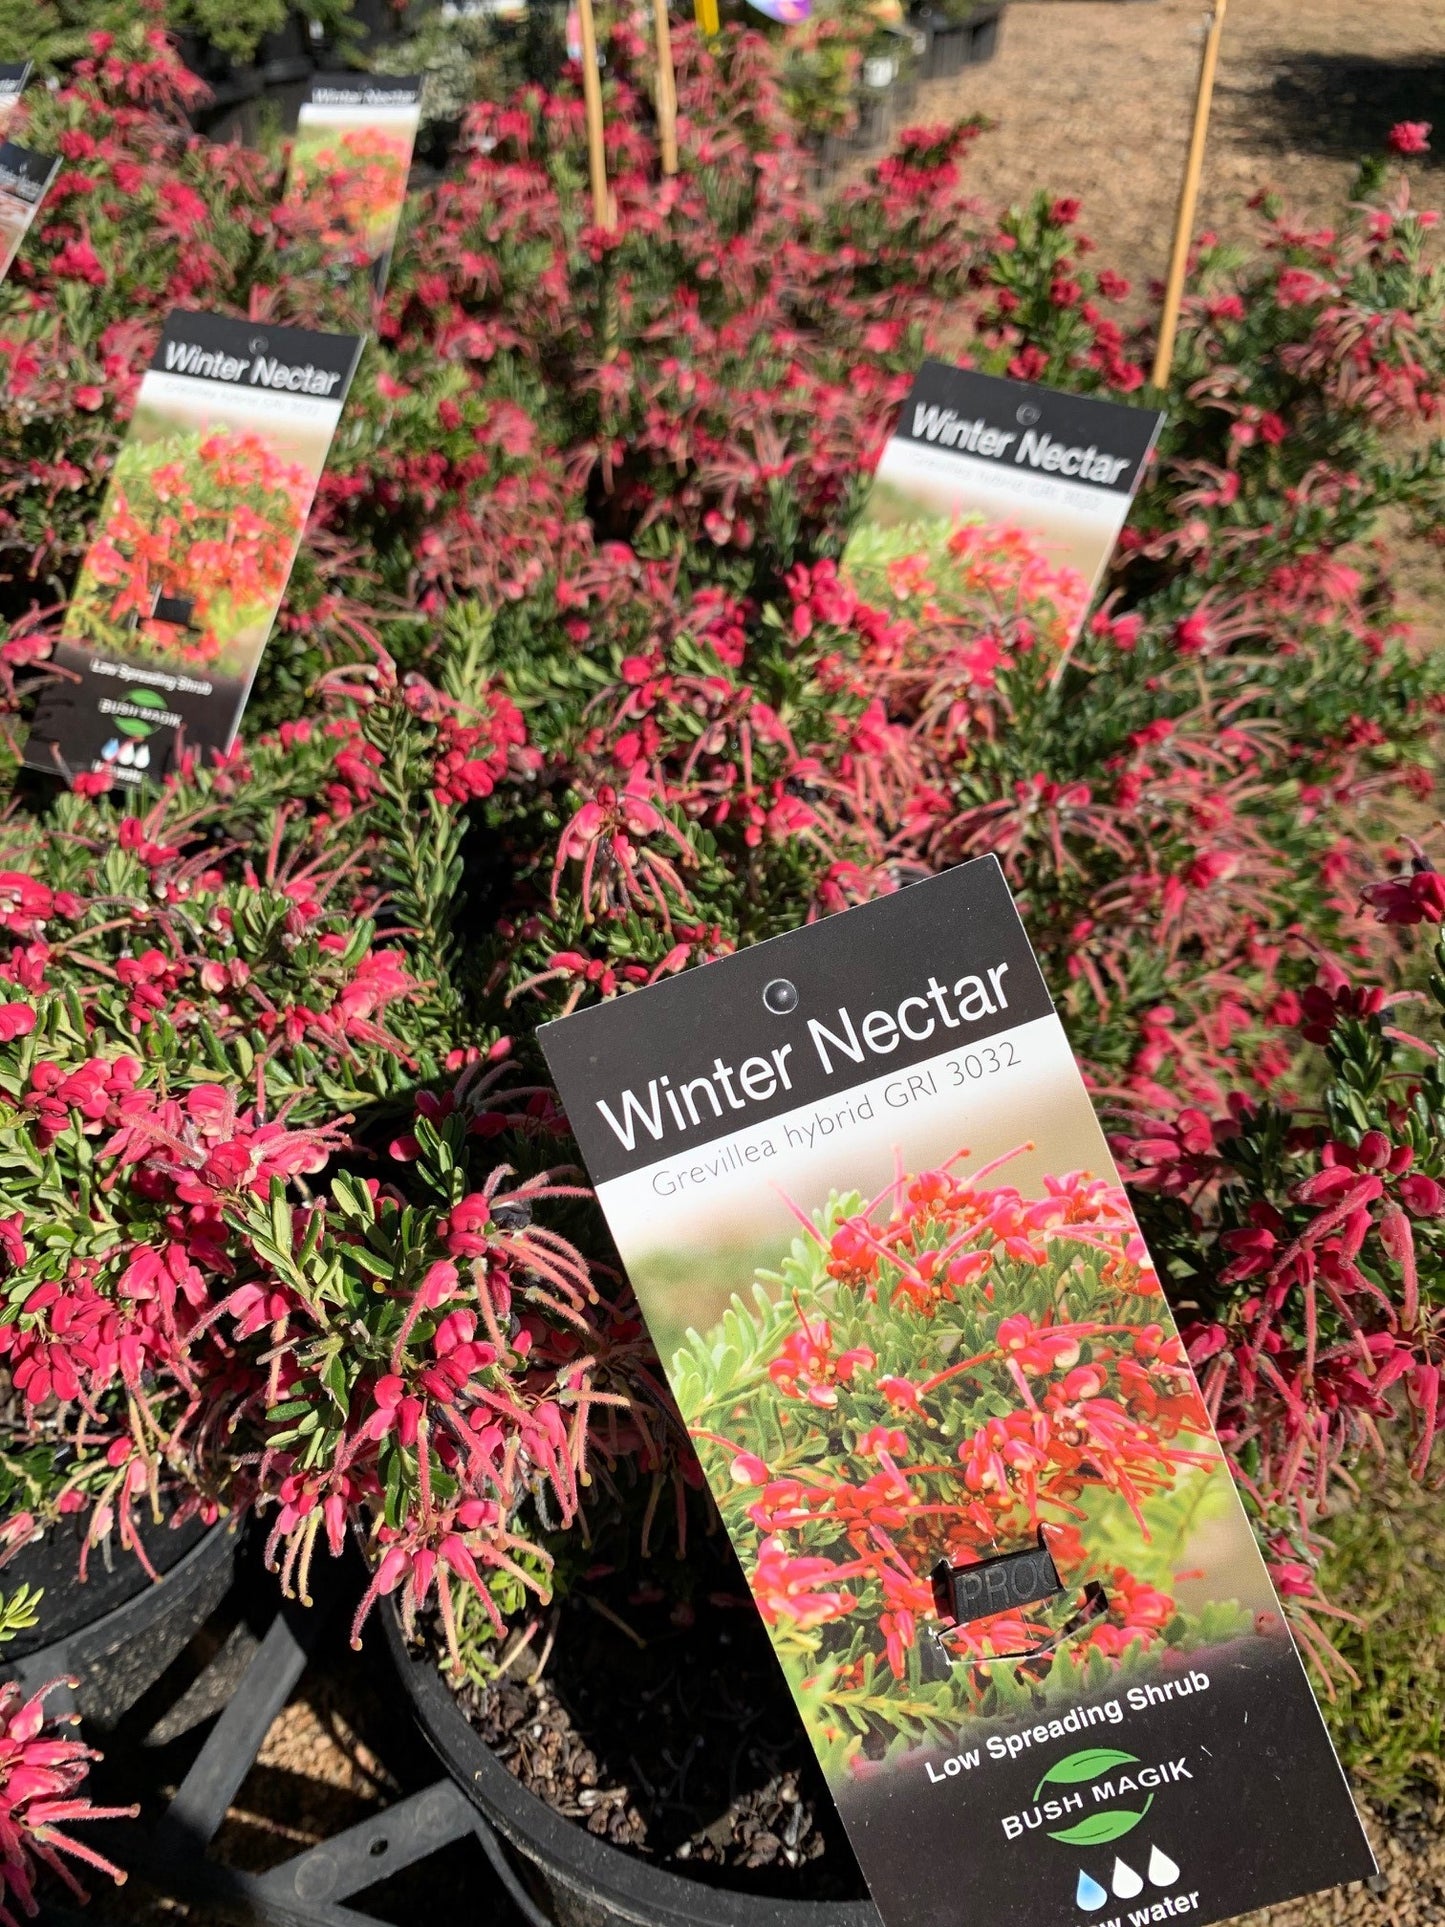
352, 159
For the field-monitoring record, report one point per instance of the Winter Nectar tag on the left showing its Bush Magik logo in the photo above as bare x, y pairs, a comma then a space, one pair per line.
194, 548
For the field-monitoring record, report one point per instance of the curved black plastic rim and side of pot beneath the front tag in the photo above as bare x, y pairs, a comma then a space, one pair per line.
585, 1882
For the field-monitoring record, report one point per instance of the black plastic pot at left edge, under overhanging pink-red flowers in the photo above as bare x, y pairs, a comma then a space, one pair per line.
120, 1631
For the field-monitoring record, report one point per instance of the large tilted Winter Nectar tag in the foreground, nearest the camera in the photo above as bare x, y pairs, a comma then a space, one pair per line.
910, 1321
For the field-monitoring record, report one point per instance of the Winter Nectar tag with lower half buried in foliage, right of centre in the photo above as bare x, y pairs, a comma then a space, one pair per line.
1001, 483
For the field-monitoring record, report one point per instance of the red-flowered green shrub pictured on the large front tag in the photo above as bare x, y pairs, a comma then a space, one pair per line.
1066, 1386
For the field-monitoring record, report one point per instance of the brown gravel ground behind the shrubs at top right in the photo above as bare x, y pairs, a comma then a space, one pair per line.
1095, 97
